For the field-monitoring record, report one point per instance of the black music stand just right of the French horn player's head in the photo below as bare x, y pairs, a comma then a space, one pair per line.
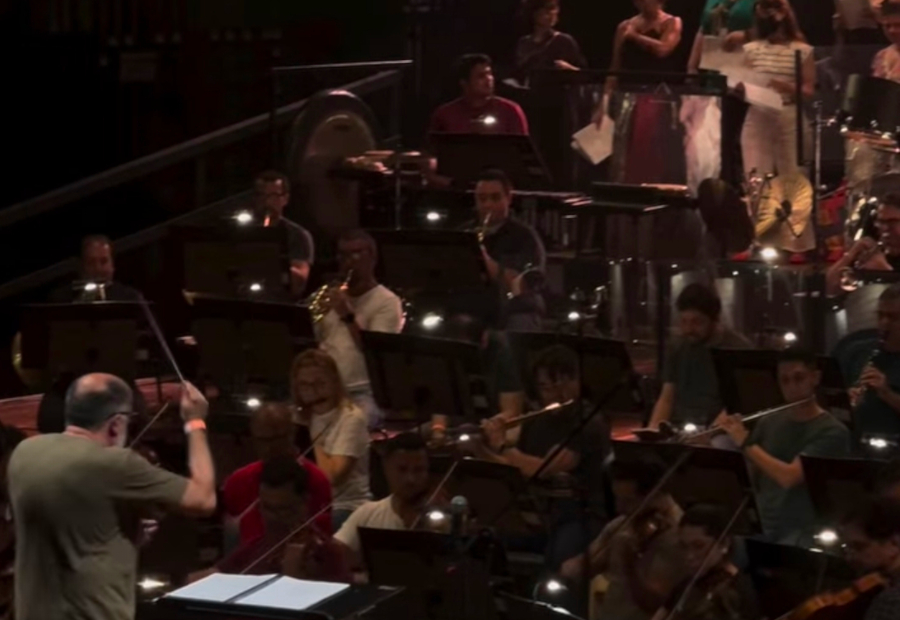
441, 261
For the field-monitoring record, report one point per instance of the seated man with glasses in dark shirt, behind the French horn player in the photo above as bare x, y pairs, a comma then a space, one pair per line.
272, 193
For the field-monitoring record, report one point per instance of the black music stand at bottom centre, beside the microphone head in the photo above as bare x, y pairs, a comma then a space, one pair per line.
437, 582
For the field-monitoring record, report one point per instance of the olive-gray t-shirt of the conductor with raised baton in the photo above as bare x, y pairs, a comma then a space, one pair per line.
77, 508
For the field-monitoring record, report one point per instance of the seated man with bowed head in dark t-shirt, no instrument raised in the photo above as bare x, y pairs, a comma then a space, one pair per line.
690, 391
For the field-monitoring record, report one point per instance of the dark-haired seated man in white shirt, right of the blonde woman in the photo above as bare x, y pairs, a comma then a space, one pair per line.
405, 462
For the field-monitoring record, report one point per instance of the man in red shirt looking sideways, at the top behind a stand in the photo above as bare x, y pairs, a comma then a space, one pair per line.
478, 110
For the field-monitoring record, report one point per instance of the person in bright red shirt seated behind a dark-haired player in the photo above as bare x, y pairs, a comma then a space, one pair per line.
272, 430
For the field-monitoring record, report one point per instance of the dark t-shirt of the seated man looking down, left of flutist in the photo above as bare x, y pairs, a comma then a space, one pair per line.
690, 368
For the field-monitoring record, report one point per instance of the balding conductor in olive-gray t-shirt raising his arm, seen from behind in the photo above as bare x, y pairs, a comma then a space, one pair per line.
76, 498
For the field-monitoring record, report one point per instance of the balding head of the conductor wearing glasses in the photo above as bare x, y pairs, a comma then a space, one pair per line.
94, 401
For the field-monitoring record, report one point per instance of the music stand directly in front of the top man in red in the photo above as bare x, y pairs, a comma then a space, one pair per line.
463, 157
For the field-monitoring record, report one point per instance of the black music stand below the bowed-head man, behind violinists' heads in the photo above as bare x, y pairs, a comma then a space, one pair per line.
708, 476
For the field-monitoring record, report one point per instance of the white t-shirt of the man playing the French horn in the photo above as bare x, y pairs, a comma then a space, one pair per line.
378, 310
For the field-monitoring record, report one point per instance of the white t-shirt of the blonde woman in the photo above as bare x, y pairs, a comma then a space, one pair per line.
348, 436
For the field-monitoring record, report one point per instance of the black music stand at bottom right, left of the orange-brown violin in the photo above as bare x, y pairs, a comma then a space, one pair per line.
786, 576
